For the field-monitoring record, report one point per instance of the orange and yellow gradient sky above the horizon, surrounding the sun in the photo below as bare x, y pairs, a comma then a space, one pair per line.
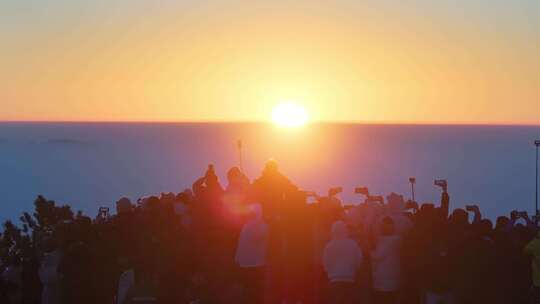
384, 61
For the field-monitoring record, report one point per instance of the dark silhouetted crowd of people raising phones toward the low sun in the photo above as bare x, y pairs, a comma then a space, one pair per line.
267, 241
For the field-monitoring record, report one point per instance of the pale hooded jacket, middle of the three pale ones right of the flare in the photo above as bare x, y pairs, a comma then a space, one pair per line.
341, 256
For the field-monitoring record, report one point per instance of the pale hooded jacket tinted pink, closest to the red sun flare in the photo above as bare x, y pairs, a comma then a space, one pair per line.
252, 243
